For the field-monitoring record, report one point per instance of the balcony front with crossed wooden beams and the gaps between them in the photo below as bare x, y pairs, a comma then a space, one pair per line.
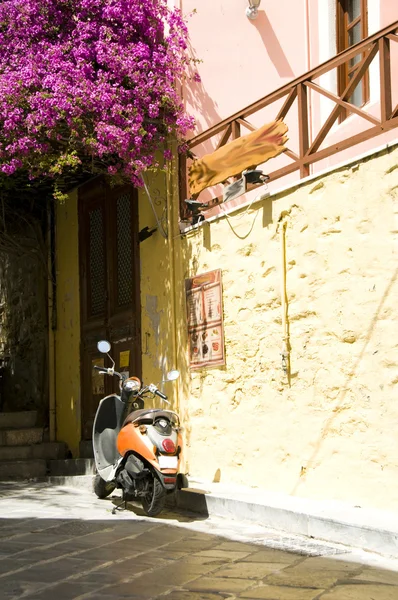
322, 124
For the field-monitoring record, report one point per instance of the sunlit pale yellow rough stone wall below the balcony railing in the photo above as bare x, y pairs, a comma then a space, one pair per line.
332, 432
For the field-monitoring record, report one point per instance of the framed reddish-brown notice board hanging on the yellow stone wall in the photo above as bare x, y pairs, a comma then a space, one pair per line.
205, 320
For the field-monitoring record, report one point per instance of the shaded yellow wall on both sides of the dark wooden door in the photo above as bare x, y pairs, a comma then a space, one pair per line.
156, 309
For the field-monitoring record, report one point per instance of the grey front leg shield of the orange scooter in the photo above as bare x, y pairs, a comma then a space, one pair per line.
106, 427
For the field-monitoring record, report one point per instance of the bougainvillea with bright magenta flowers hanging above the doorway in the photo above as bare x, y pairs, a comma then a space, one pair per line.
89, 85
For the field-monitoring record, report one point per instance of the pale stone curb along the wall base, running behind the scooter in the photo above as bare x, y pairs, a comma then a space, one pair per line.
365, 529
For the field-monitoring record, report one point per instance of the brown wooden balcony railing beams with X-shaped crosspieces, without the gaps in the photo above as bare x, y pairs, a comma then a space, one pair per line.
309, 143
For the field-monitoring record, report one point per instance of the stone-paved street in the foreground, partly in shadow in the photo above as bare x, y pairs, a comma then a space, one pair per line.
63, 544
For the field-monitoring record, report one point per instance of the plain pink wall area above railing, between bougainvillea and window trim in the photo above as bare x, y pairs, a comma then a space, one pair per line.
243, 60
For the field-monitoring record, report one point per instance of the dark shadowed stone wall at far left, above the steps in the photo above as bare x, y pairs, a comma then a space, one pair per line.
23, 321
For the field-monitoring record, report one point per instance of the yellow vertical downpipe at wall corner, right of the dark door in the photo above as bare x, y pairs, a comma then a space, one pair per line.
173, 290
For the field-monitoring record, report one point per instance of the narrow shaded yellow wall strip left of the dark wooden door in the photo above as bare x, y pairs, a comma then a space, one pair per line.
67, 334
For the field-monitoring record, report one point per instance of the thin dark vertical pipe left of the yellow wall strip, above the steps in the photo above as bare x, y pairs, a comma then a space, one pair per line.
52, 317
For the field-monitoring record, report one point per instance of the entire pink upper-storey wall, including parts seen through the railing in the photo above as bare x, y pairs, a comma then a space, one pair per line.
245, 60
